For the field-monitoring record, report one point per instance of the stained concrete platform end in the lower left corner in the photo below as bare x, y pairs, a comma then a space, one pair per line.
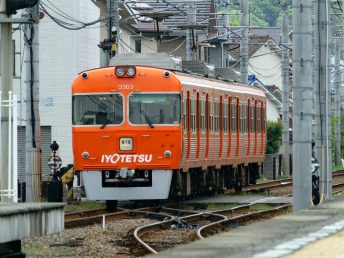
21, 220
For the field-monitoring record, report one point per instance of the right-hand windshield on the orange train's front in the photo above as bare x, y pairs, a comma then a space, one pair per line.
154, 109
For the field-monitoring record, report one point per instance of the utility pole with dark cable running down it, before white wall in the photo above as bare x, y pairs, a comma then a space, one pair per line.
33, 133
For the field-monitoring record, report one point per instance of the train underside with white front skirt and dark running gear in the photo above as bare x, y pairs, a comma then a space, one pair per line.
112, 186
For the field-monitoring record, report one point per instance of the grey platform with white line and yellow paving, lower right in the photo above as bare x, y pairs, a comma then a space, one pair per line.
317, 232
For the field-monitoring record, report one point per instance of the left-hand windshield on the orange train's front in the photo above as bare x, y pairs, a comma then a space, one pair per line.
97, 109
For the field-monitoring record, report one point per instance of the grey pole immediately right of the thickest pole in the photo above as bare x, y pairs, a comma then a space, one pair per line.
321, 95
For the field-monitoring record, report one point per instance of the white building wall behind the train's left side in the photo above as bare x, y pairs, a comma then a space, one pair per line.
63, 54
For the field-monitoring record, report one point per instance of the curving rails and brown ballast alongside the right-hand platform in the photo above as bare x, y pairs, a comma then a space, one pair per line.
158, 236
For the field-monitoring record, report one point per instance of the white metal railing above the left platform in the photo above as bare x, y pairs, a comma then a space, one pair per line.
12, 179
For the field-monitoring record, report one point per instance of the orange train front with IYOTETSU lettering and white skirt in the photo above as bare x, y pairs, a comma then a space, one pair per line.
126, 131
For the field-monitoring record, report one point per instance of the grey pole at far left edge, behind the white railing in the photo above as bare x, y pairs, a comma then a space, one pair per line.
6, 74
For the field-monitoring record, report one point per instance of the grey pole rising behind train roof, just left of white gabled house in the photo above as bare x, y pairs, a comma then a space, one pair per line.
244, 21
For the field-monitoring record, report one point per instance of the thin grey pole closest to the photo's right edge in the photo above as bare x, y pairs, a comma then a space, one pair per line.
337, 84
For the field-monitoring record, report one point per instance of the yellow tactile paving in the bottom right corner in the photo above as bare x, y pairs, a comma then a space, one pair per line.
329, 247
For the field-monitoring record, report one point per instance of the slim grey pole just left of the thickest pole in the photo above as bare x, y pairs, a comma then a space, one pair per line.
285, 89
